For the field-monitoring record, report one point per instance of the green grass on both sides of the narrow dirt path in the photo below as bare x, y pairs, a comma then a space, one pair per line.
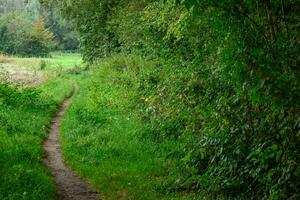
103, 137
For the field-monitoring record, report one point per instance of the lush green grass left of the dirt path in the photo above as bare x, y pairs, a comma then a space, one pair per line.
24, 117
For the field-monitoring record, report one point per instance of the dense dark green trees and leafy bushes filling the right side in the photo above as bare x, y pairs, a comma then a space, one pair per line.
226, 86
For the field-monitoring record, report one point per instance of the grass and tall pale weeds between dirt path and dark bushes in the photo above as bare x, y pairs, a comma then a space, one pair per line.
105, 140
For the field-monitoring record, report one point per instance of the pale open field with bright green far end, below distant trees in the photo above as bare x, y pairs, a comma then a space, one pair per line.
34, 71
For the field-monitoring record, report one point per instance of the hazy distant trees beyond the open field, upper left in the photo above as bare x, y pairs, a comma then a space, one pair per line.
28, 29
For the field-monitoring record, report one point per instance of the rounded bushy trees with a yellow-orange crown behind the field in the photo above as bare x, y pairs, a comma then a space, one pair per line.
20, 37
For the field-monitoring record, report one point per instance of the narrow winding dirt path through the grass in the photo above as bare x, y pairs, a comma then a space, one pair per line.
69, 186
